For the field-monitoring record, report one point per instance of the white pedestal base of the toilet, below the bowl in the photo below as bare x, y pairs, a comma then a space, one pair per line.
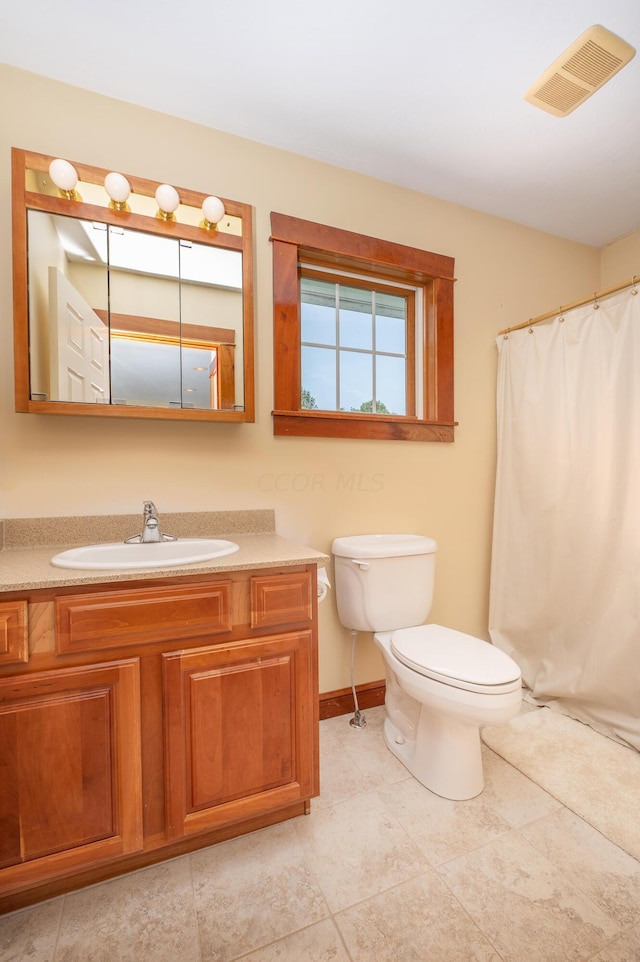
445, 756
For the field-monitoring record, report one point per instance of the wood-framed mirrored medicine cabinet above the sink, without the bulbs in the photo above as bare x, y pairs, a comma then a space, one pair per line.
124, 312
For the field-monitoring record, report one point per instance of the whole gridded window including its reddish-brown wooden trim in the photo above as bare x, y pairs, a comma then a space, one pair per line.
363, 336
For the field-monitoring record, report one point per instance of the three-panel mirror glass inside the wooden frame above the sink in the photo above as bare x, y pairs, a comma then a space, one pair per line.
131, 318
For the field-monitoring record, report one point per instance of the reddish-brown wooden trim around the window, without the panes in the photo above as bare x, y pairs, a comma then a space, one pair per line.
295, 241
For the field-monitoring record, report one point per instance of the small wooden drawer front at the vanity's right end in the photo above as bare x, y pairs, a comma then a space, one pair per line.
281, 600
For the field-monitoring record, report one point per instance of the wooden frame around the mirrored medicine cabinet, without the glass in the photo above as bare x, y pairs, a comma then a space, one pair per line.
24, 200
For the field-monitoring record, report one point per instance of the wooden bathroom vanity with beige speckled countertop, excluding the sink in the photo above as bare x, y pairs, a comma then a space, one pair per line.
143, 713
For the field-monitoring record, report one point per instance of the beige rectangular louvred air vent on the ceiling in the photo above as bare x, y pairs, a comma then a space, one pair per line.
581, 70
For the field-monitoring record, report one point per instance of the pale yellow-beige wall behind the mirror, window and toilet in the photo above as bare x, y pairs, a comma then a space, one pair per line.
319, 488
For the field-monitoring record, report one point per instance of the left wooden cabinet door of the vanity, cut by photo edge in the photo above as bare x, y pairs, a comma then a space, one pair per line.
70, 775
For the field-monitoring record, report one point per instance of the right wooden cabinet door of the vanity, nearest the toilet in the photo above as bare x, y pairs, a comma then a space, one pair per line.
239, 730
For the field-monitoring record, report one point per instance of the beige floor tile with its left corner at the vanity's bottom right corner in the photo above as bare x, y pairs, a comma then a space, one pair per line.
358, 849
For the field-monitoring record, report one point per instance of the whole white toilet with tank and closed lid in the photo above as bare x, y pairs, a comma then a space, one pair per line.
442, 685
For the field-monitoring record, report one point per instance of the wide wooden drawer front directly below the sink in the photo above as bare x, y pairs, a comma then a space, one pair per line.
102, 620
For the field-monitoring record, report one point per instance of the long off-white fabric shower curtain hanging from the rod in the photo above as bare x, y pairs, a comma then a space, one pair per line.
565, 569
